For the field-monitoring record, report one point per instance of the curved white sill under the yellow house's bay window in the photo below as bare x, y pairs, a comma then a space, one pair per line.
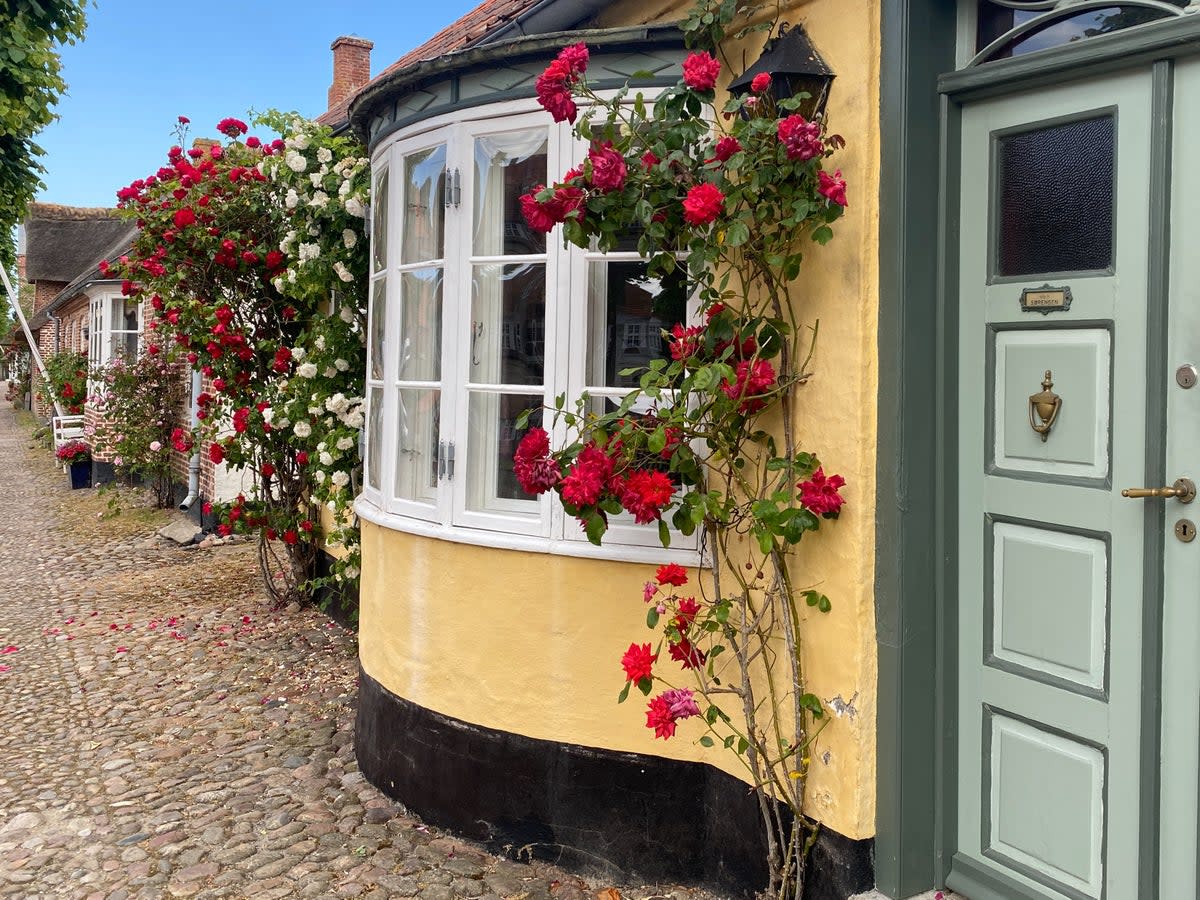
368, 511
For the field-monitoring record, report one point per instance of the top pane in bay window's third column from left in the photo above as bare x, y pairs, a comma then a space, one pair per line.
508, 166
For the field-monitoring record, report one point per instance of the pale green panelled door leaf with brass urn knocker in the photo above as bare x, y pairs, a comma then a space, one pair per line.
1054, 565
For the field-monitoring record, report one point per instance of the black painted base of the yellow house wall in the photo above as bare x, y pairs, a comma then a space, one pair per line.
614, 814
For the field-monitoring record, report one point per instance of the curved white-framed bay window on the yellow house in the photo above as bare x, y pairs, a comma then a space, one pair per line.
476, 317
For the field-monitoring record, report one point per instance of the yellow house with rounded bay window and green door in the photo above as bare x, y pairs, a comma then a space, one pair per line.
1012, 650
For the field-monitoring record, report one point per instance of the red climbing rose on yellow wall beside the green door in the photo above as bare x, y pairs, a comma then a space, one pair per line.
719, 451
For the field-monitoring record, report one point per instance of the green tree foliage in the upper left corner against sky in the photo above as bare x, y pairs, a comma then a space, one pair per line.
31, 86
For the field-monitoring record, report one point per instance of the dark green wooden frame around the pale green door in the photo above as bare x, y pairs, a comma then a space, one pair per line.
916, 471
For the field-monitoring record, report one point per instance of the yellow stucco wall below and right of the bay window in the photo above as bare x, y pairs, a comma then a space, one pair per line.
530, 644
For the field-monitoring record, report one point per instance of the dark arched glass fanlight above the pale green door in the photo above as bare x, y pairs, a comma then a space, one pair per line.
1013, 28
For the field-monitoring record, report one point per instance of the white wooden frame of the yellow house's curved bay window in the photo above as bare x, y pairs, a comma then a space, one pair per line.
565, 339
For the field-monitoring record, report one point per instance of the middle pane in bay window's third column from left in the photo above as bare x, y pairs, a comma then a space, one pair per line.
508, 339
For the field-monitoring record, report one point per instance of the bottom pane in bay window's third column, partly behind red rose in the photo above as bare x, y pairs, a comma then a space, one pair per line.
493, 440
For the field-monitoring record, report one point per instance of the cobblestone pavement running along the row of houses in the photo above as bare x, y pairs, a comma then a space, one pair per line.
167, 735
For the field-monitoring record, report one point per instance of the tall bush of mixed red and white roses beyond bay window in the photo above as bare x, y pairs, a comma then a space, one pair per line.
253, 255
